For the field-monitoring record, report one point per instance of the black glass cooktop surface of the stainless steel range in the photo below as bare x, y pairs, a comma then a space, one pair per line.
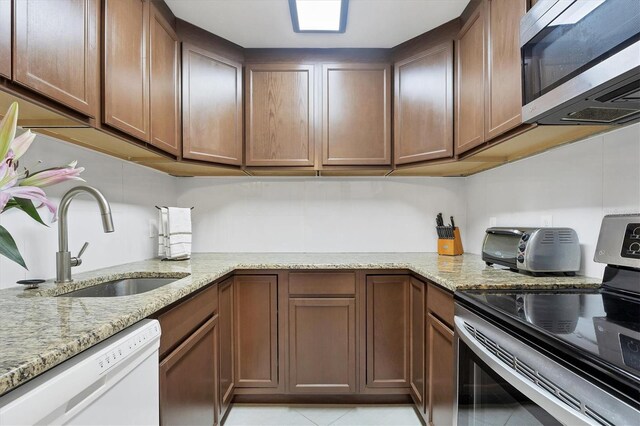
601, 325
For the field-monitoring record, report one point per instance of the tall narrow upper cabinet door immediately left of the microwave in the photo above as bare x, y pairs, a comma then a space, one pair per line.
504, 76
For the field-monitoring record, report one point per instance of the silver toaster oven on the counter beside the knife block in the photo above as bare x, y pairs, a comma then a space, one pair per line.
535, 250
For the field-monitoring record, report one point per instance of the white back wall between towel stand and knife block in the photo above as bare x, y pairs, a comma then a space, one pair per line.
319, 214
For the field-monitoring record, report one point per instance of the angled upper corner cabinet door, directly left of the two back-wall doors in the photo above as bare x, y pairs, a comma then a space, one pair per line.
212, 107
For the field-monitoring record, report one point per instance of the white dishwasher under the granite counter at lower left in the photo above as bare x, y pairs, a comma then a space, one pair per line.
112, 383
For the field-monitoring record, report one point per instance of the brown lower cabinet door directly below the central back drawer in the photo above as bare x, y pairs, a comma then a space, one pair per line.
322, 345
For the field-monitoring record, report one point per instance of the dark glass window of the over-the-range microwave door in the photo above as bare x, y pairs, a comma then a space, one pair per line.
585, 34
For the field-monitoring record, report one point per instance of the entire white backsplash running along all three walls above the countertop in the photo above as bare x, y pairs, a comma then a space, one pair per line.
575, 185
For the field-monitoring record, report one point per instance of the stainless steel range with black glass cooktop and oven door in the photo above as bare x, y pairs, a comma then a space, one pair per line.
556, 357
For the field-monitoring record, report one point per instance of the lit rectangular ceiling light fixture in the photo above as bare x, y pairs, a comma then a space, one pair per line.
319, 16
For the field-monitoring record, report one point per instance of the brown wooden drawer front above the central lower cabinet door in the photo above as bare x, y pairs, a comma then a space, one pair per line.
322, 283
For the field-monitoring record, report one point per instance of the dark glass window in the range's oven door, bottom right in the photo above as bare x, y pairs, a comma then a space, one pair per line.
485, 398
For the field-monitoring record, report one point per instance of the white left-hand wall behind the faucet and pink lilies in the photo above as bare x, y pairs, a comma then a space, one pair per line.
132, 191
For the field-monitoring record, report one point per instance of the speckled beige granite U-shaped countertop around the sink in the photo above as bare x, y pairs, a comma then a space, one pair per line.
38, 331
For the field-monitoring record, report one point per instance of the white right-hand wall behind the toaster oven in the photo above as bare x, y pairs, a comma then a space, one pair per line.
576, 184
